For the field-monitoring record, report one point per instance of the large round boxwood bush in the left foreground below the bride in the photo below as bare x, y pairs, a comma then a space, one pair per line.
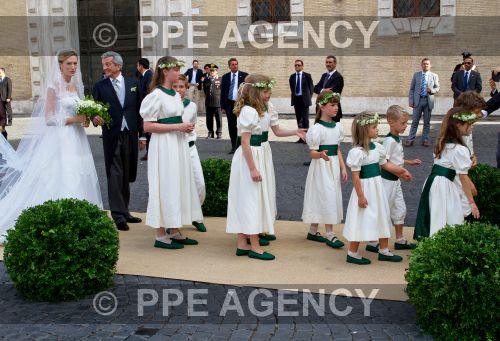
61, 250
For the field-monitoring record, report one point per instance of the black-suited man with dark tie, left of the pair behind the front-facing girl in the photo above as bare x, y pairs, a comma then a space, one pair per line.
301, 88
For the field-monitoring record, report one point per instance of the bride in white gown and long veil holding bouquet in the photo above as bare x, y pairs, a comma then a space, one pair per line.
54, 159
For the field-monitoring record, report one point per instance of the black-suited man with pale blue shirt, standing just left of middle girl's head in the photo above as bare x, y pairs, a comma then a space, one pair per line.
229, 91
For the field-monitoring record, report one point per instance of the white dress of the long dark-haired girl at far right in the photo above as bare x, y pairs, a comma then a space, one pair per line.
447, 201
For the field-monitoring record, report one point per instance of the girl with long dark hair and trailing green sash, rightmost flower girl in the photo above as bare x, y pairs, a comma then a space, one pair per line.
447, 198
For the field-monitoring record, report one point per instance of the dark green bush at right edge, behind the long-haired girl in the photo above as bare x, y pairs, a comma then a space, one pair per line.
486, 178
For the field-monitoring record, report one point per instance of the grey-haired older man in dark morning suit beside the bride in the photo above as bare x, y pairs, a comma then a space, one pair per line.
120, 140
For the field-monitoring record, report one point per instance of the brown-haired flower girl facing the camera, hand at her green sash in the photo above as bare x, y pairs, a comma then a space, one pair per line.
323, 193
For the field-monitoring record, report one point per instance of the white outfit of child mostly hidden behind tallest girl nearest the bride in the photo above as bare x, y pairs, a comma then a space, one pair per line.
190, 115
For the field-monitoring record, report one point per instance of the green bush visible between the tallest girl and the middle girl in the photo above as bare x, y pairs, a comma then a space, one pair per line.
216, 173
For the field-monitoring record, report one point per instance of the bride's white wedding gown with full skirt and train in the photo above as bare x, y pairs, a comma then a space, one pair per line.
58, 165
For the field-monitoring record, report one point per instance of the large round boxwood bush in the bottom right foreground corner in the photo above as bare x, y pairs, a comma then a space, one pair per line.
454, 282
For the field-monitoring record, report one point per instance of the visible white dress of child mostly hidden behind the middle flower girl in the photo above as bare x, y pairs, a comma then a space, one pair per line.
269, 120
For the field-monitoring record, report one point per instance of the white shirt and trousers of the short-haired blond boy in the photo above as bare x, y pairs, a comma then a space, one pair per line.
392, 184
